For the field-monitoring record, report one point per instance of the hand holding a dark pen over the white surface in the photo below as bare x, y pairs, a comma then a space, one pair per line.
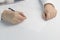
12, 17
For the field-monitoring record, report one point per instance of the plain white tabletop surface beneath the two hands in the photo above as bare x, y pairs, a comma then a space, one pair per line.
34, 27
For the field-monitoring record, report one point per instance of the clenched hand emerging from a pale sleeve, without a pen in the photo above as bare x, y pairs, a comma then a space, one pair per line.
49, 11
